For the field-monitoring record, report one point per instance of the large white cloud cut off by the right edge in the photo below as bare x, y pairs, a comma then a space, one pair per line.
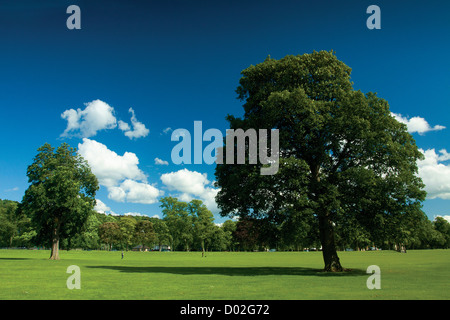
435, 173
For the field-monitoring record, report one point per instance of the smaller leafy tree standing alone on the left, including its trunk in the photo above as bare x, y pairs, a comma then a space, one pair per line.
61, 194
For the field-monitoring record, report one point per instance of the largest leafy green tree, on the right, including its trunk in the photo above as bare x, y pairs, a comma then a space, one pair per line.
342, 155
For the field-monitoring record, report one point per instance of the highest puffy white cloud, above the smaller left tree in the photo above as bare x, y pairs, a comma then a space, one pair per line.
97, 116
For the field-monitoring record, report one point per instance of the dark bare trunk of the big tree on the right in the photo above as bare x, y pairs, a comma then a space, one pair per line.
330, 257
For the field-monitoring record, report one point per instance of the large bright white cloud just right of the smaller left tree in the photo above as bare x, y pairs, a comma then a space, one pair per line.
119, 174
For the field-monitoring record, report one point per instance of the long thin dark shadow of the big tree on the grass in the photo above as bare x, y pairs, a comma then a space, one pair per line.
235, 271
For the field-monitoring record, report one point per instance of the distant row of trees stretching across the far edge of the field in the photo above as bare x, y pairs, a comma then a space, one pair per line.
190, 226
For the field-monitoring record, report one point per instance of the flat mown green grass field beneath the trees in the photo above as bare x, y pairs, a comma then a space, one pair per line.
28, 274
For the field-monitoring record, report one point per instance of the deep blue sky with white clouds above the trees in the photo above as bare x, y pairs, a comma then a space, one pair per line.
176, 62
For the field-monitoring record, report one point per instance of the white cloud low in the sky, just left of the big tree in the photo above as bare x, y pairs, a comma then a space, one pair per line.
192, 185
